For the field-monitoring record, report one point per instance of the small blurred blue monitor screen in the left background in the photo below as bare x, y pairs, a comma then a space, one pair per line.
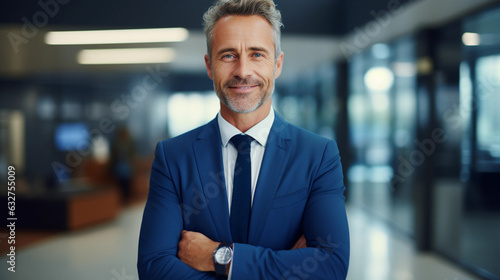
72, 137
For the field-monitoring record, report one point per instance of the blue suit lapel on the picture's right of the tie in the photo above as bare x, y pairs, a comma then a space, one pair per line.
271, 171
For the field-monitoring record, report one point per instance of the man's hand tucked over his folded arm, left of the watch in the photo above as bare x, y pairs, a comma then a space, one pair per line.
196, 250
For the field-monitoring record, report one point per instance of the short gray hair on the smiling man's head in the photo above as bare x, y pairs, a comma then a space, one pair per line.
264, 8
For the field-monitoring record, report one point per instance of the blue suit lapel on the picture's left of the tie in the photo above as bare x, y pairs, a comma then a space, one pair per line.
208, 154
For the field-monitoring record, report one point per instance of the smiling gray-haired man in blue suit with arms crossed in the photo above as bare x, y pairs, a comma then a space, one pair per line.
247, 196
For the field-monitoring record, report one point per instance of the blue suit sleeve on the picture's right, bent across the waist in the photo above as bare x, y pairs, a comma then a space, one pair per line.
325, 228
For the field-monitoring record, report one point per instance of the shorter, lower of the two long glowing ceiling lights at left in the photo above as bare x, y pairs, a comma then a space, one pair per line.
126, 56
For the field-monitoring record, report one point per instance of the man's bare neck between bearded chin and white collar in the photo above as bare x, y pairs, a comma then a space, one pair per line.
245, 121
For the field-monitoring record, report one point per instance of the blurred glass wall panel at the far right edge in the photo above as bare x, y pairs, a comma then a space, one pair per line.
467, 208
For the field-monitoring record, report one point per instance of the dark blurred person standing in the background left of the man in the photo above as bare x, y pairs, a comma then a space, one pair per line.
122, 161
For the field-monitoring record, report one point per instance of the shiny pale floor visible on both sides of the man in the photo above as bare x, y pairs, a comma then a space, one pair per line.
109, 252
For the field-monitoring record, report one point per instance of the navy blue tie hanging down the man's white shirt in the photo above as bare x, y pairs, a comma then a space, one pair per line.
242, 189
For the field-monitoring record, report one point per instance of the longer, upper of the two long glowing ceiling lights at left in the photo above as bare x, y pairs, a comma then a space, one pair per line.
119, 36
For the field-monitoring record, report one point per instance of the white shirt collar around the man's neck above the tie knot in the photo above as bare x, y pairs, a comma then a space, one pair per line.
259, 132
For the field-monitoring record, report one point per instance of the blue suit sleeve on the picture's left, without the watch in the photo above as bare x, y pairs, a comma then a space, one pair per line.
161, 227
